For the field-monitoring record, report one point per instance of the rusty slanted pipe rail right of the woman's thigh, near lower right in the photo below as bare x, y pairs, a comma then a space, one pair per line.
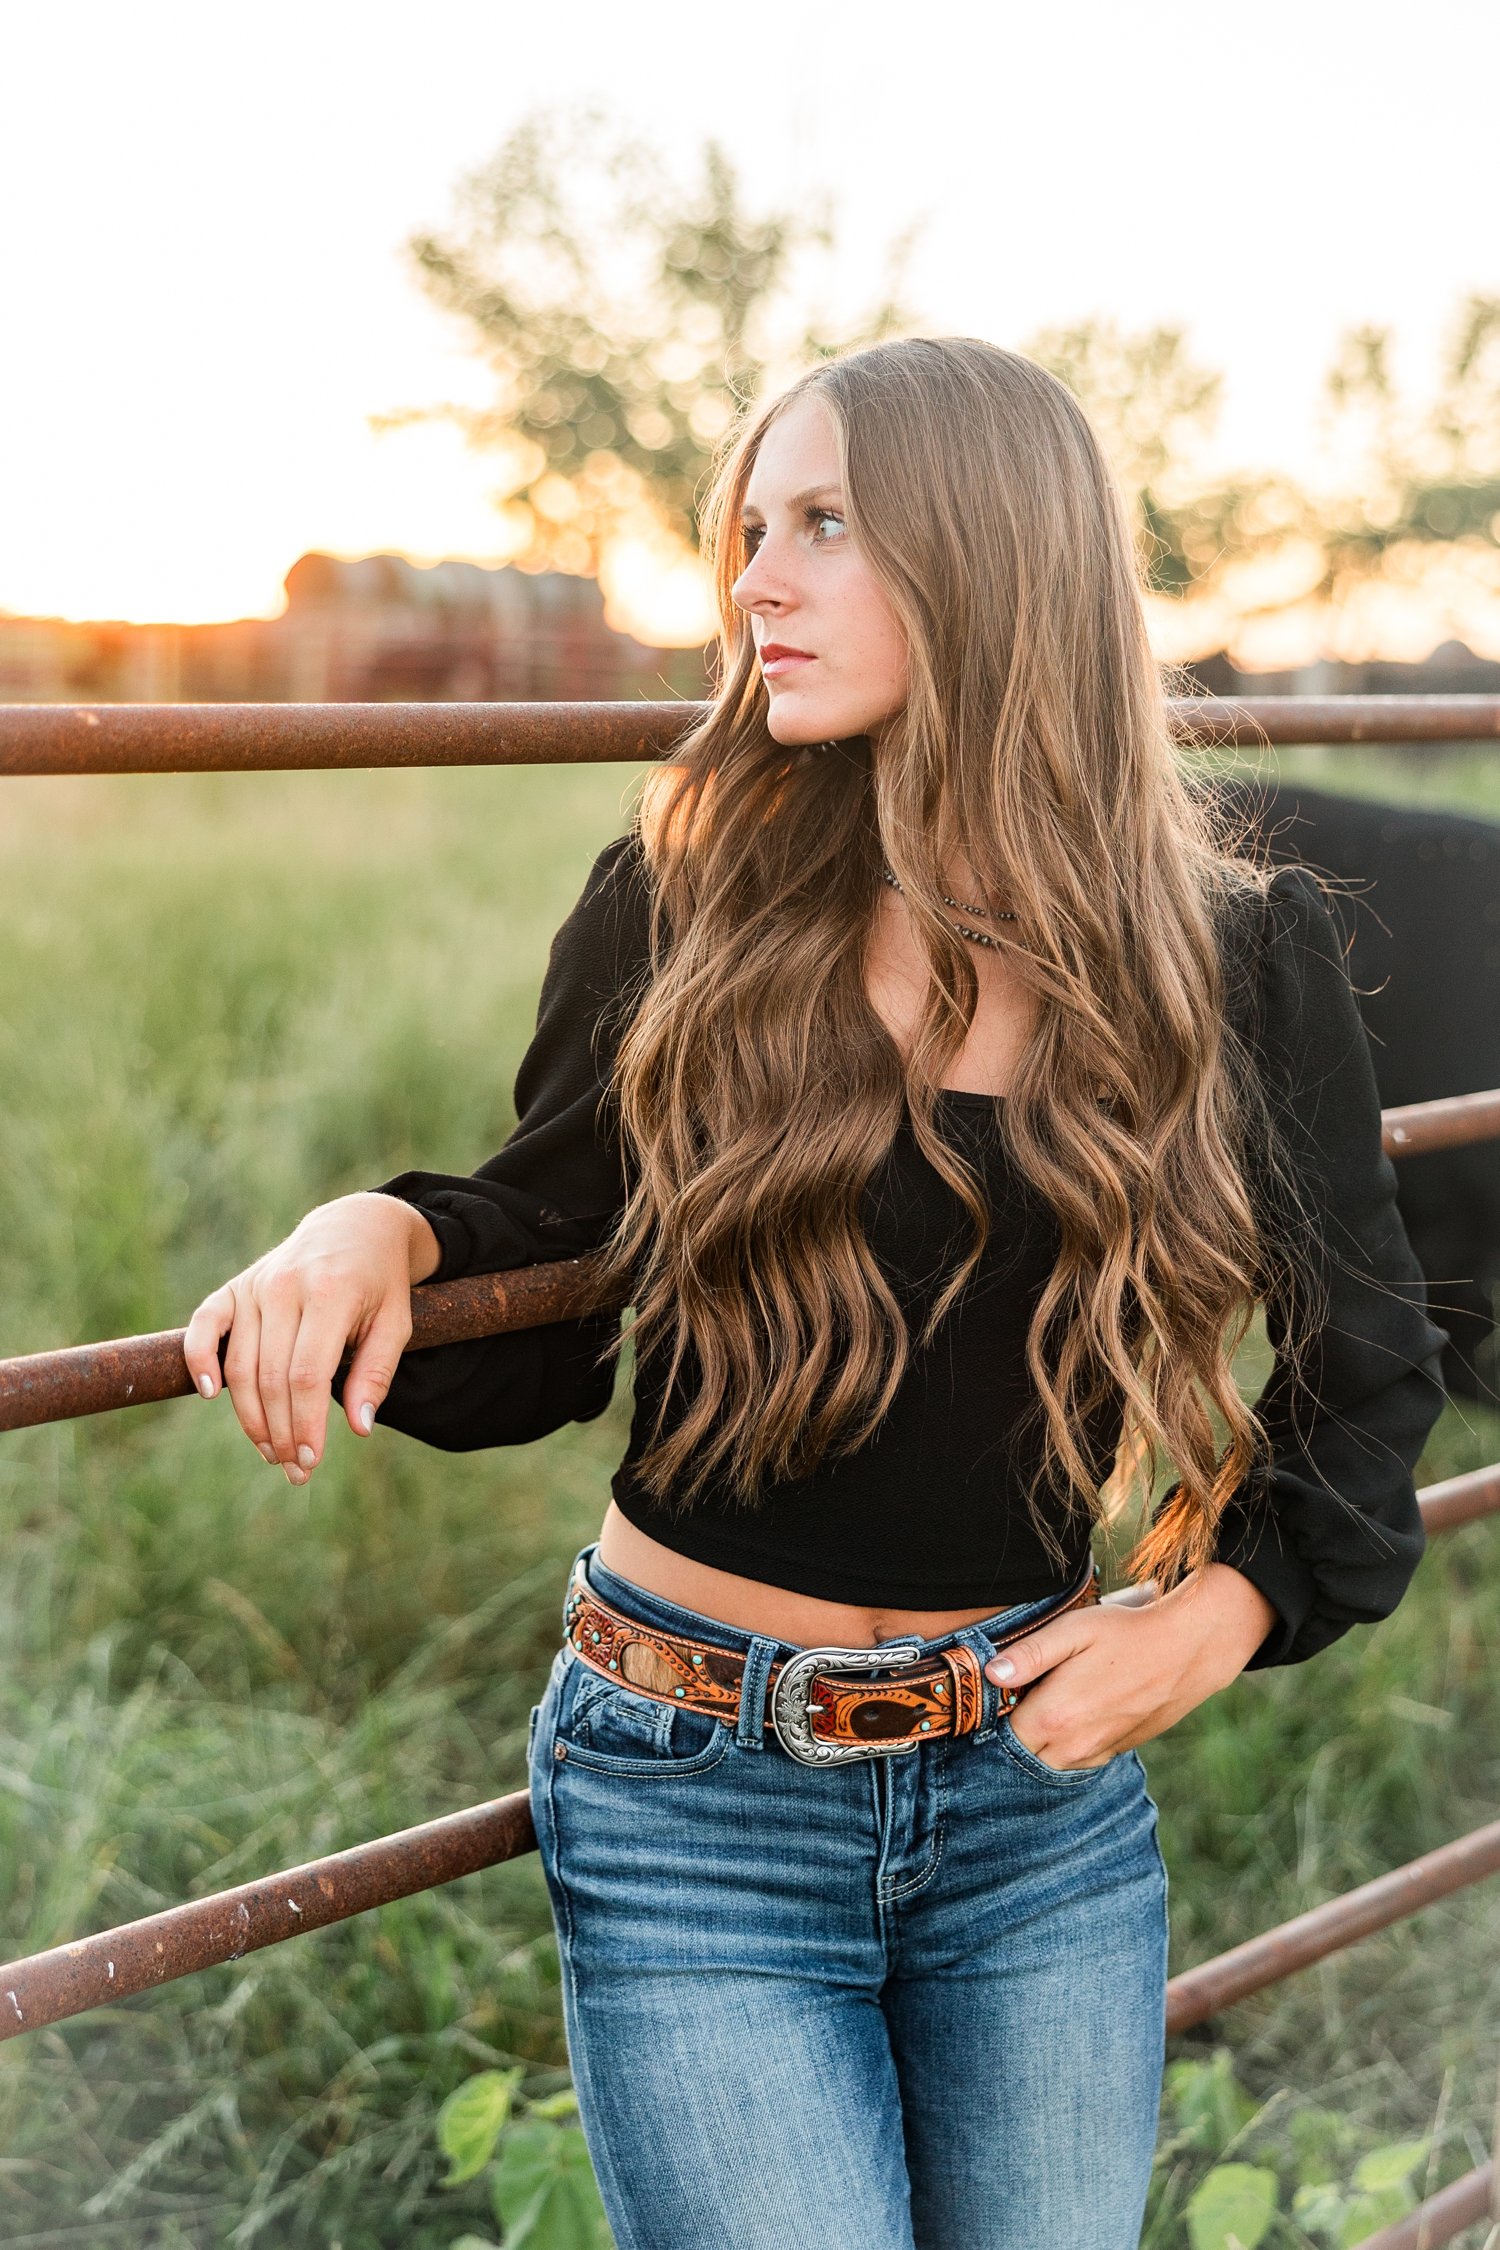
1328, 1929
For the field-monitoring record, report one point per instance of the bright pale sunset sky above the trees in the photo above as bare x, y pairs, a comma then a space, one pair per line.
206, 215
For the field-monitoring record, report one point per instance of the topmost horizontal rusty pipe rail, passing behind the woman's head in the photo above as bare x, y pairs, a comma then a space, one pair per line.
224, 739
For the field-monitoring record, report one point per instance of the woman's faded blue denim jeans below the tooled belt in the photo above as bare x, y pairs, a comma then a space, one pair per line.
912, 2004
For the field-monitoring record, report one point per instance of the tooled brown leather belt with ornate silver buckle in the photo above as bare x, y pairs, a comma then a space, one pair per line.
815, 1711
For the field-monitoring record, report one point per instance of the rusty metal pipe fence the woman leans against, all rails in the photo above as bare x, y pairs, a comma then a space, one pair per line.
134, 1371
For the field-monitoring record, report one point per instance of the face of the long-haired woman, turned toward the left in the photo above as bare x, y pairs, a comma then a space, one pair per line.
831, 649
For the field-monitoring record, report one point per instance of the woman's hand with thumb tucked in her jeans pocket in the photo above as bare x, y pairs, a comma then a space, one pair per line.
1110, 1680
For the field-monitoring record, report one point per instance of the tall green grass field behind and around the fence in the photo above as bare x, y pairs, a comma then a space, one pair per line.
224, 1000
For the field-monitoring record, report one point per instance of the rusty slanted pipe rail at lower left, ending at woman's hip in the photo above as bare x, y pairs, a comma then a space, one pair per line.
235, 1923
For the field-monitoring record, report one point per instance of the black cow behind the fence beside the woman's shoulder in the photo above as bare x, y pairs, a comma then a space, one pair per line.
1418, 897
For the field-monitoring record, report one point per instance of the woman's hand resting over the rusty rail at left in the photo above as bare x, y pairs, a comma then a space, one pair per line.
343, 1279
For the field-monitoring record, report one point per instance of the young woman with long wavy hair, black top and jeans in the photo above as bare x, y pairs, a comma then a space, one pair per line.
948, 1104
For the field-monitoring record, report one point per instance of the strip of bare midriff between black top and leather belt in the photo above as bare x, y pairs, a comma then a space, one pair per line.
797, 1619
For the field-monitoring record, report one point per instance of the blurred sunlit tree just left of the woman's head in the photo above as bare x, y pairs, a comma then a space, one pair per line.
629, 323
